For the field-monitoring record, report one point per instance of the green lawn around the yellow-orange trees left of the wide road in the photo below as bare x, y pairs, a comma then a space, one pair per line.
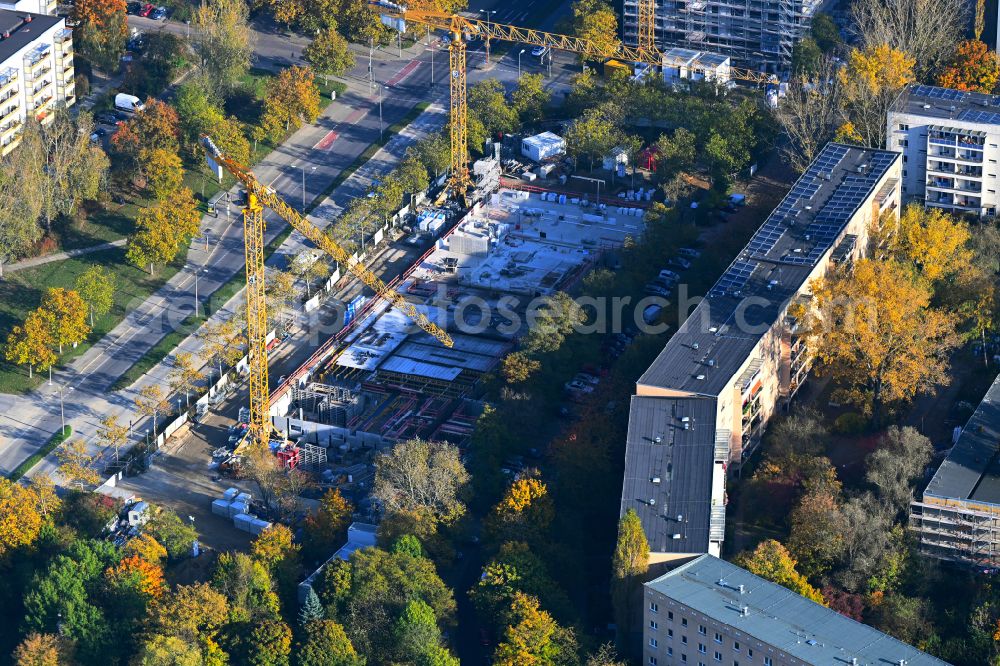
21, 292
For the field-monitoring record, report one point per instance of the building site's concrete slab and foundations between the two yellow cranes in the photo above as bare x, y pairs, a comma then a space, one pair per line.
382, 379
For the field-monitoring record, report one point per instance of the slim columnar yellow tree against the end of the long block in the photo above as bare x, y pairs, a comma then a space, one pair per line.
630, 563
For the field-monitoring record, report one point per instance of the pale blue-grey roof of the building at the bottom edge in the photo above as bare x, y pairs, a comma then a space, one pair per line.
801, 628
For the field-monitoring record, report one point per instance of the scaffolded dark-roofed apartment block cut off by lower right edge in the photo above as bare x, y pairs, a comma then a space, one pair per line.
958, 517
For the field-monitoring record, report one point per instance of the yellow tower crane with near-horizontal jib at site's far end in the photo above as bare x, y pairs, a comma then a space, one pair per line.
458, 27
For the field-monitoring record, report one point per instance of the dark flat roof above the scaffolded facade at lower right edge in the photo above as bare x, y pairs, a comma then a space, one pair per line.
972, 469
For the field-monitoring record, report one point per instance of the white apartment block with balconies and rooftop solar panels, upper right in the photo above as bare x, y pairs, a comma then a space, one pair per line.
950, 141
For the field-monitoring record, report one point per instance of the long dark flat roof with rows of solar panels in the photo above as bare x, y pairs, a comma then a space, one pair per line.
715, 341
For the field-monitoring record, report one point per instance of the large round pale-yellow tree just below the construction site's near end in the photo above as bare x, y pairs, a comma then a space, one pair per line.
421, 481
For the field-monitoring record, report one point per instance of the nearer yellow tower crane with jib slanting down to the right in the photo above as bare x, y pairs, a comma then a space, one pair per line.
259, 197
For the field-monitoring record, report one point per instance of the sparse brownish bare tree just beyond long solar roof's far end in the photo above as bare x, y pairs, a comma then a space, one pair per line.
810, 113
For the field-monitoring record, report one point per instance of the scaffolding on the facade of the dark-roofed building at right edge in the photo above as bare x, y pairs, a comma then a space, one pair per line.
957, 533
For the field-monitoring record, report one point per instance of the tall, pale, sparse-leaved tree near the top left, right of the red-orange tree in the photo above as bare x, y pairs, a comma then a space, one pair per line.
223, 42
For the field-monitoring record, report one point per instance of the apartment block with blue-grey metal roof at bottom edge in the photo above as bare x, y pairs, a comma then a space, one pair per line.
709, 611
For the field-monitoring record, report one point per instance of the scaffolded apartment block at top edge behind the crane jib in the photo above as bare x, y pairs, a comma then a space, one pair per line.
758, 34
